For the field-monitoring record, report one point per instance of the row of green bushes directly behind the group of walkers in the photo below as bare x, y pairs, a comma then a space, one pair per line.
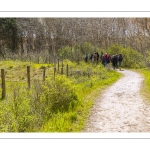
131, 57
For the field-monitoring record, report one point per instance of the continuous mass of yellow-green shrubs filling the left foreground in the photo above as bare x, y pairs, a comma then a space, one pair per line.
25, 111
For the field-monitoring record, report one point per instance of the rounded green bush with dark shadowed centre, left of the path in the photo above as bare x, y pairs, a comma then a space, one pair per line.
60, 94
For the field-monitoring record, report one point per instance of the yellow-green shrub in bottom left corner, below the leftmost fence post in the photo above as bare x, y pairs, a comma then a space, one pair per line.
16, 115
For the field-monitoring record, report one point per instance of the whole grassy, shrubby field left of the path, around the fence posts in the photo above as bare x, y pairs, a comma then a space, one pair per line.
60, 105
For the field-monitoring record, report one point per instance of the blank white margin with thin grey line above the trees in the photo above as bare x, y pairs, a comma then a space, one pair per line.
104, 7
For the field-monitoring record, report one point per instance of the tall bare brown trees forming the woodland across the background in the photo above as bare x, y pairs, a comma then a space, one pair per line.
23, 36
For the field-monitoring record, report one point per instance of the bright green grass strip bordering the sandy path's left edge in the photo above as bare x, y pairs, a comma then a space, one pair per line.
74, 121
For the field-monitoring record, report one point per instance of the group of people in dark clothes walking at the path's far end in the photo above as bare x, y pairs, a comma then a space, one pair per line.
105, 59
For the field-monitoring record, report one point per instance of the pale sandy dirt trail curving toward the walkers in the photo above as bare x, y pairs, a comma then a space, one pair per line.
120, 108
